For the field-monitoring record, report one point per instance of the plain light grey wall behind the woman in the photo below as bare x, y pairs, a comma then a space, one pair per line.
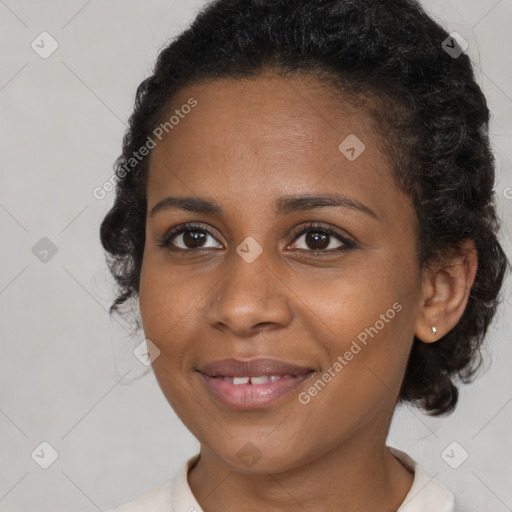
67, 372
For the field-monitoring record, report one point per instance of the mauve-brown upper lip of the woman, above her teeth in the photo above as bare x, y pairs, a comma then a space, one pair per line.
252, 368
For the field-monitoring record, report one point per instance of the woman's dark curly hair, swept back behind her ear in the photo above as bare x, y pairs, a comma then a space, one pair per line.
391, 58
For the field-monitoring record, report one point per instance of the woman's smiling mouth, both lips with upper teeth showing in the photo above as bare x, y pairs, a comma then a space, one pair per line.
252, 384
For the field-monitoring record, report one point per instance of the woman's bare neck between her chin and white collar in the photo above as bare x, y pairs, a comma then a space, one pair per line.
356, 476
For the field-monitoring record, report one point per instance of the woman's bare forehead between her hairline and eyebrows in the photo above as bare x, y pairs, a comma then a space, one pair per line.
266, 134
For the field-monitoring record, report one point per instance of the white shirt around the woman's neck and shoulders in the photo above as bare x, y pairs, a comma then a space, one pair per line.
425, 494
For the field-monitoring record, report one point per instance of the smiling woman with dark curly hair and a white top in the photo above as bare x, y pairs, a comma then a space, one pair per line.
305, 213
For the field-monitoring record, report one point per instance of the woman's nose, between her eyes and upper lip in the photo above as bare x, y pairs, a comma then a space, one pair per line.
251, 297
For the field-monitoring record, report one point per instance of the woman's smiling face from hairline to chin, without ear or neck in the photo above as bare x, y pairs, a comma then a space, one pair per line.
329, 286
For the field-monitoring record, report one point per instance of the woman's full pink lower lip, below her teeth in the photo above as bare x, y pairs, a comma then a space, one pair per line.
252, 396
